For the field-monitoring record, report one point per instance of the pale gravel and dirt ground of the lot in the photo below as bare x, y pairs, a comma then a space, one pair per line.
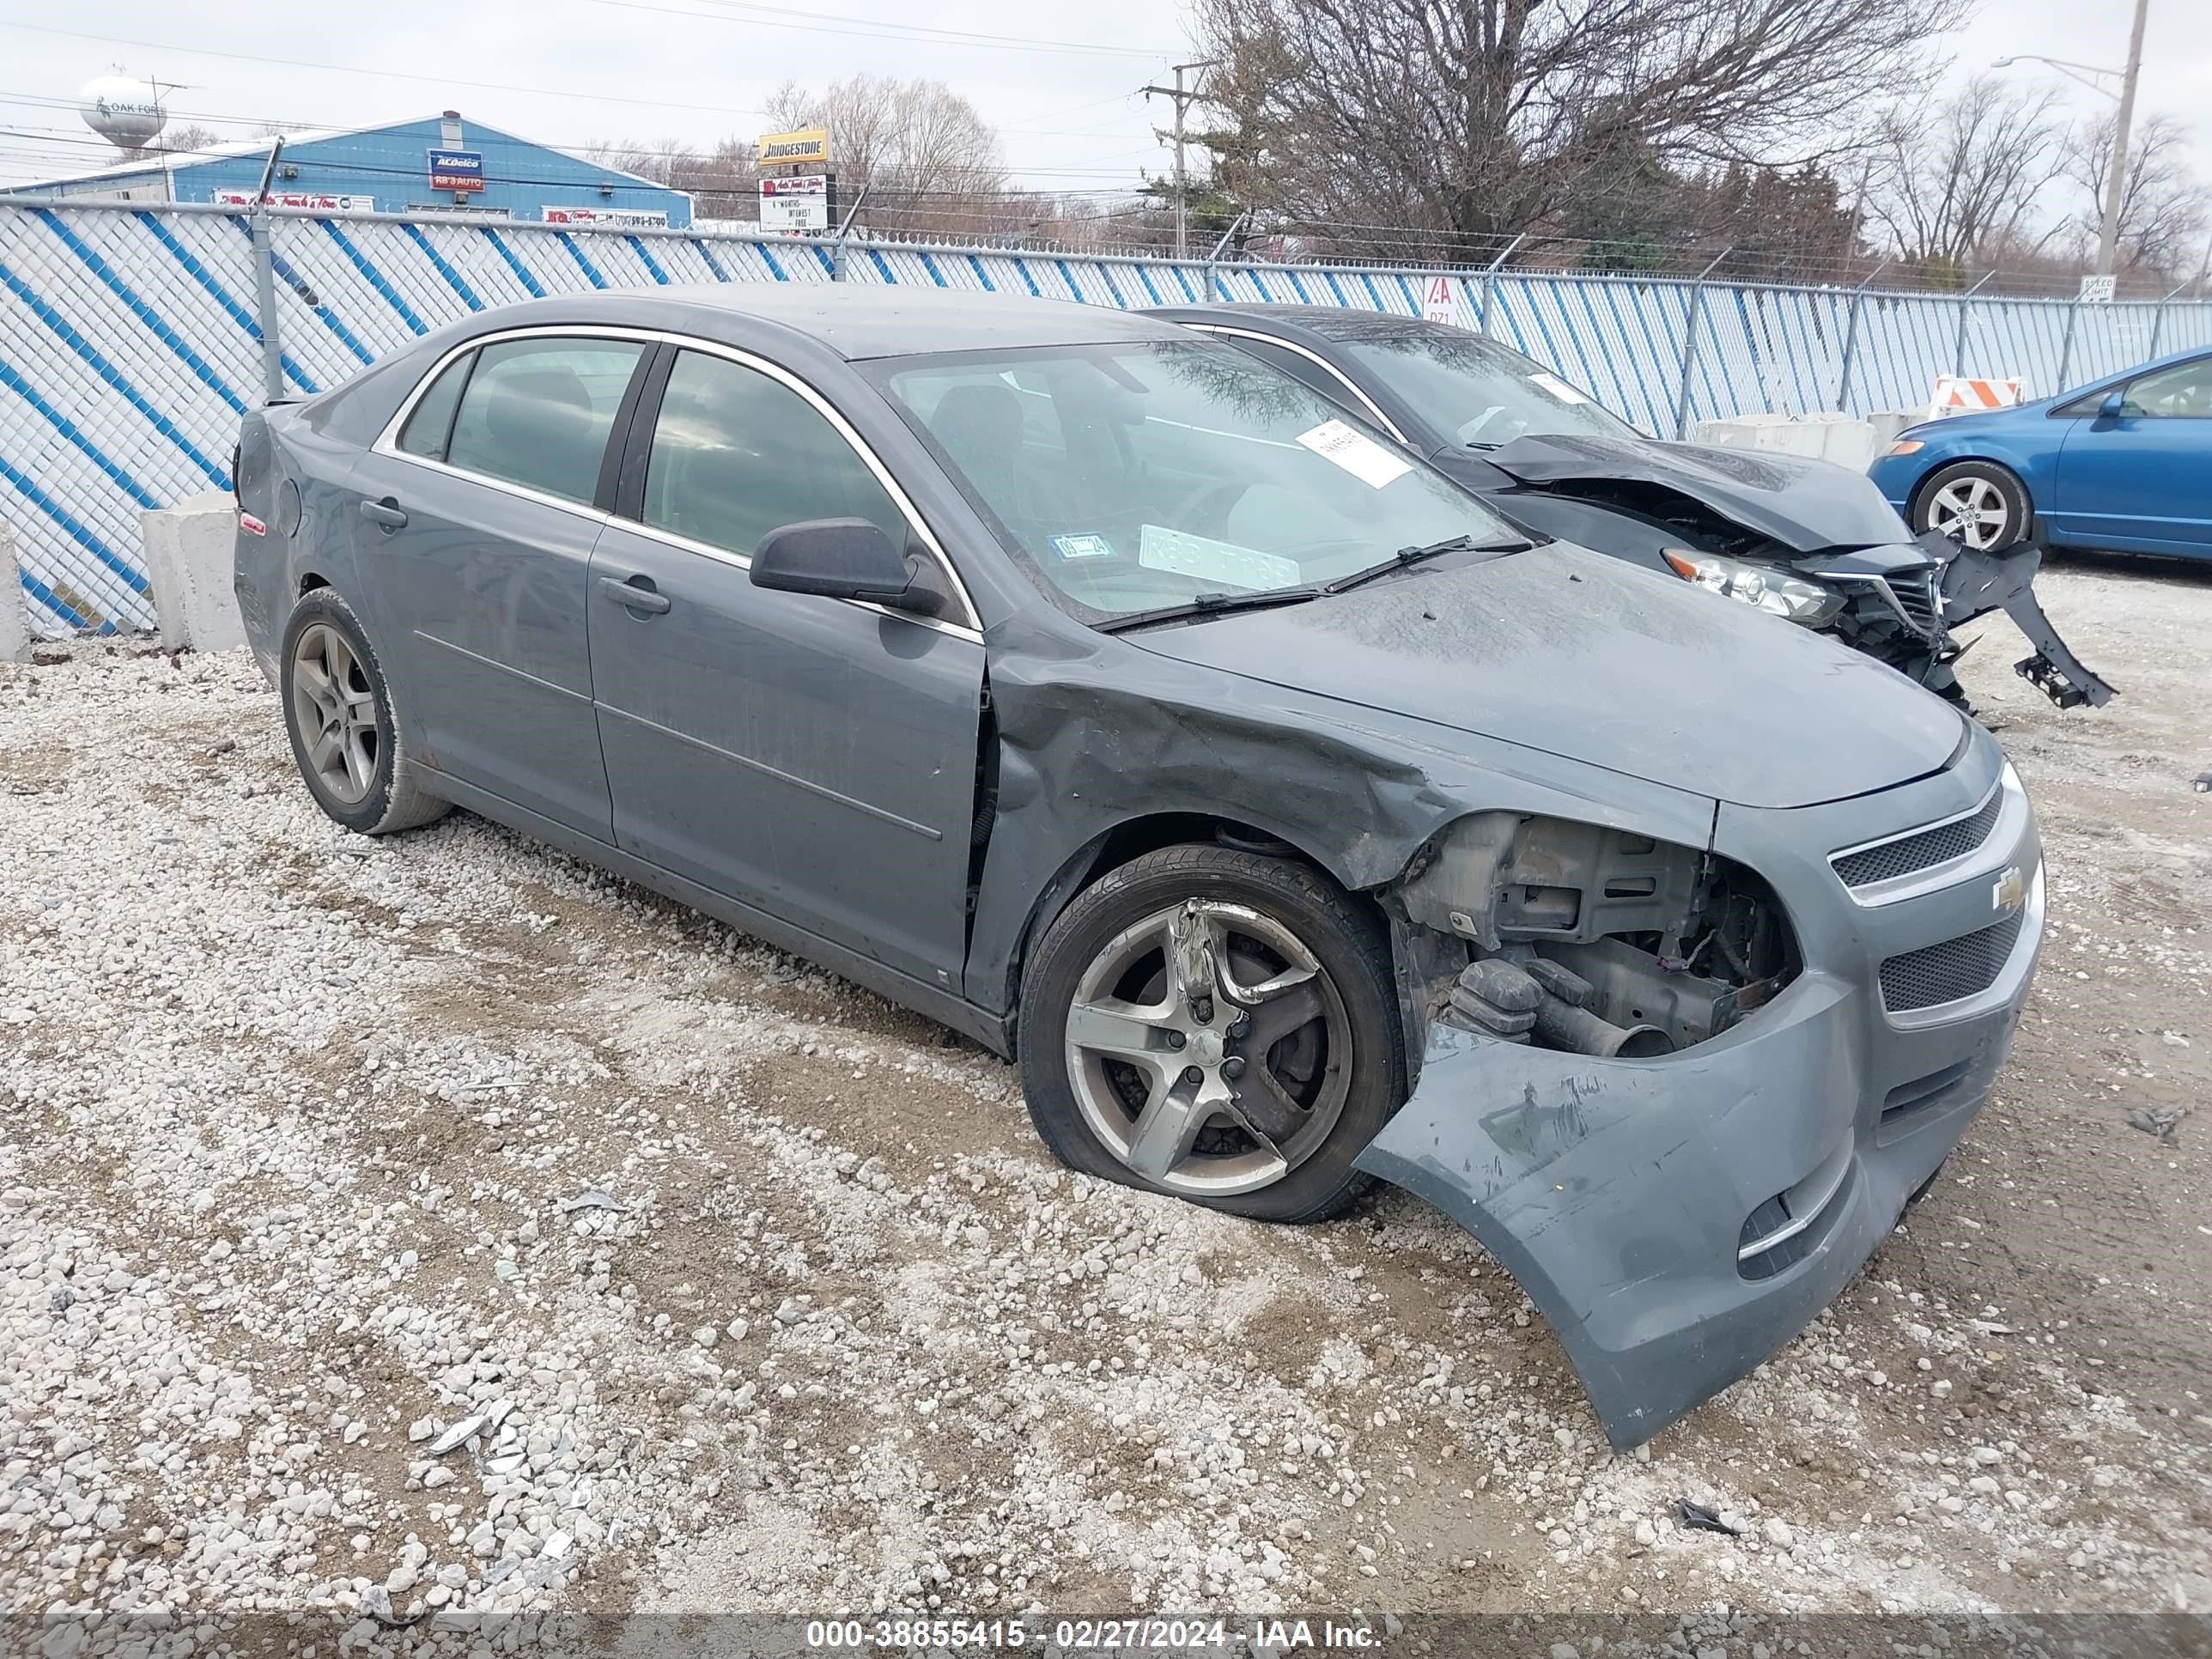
731, 1286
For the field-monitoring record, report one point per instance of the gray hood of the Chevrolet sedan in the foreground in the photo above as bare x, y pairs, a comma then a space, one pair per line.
1576, 654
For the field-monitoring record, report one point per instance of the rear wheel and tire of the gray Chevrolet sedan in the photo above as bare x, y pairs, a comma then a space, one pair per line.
340, 716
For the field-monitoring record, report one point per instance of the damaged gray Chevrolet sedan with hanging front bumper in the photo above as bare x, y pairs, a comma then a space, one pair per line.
1100, 691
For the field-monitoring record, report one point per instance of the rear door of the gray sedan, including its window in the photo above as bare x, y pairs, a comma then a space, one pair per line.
477, 528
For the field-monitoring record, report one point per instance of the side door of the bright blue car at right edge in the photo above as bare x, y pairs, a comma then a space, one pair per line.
2138, 481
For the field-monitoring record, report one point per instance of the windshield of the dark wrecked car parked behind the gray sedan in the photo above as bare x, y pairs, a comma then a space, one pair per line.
1477, 390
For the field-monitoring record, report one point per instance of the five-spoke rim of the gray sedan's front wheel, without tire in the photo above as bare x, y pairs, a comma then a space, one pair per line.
1209, 1050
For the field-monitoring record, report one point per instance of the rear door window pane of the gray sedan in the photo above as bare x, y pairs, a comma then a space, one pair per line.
536, 413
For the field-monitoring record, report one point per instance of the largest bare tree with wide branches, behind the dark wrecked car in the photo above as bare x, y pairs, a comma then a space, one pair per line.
1485, 118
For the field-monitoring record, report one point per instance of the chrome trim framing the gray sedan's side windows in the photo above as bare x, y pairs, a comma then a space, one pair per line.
970, 627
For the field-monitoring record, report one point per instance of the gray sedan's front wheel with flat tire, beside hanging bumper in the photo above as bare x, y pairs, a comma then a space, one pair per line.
1215, 1025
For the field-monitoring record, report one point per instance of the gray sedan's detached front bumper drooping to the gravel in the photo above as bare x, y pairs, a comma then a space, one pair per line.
1680, 1220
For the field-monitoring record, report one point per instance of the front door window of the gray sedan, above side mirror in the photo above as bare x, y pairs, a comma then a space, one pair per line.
738, 455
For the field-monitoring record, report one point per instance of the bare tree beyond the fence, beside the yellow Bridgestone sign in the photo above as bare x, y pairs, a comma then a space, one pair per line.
926, 154
